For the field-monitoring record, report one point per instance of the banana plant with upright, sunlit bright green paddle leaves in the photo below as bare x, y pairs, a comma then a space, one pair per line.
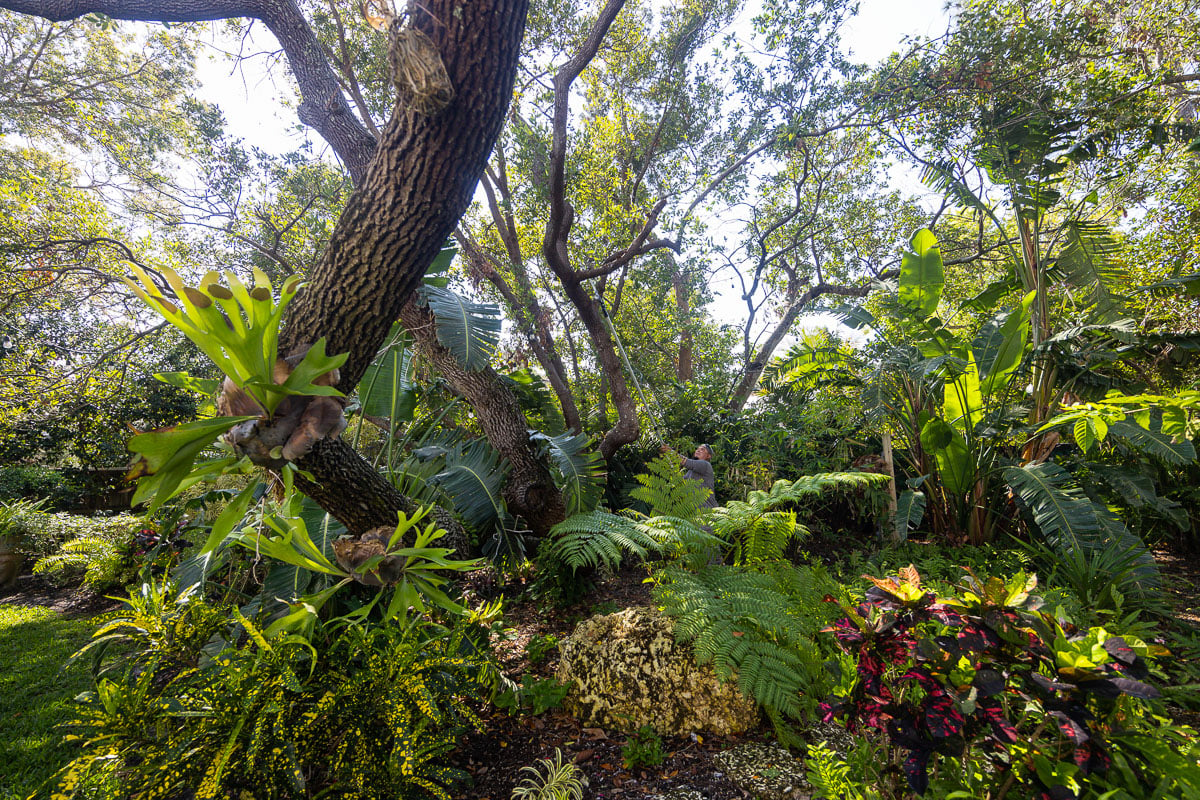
950, 400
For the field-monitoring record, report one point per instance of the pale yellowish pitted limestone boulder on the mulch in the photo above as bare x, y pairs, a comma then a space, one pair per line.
626, 671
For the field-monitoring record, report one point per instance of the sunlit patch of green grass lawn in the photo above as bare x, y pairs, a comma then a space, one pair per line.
35, 695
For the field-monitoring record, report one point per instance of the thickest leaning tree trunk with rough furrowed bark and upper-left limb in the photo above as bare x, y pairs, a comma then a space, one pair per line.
413, 187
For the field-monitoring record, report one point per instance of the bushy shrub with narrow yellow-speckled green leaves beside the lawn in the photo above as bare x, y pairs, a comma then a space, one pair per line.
363, 712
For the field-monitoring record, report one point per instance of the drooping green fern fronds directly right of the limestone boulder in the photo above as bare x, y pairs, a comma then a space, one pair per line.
759, 628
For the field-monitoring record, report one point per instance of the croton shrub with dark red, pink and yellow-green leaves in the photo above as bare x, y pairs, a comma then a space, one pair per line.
1000, 699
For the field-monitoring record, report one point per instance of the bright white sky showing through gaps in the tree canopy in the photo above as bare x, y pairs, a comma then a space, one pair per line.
880, 28
